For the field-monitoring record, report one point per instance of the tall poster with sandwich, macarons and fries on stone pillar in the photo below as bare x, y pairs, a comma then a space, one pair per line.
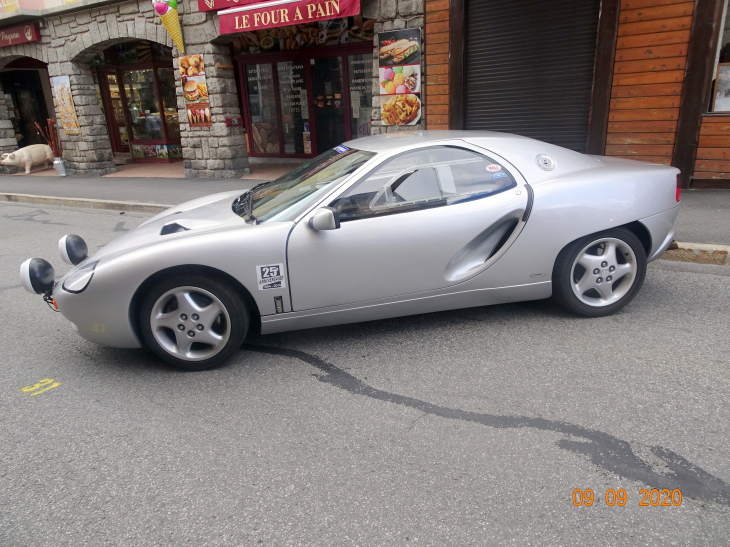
399, 62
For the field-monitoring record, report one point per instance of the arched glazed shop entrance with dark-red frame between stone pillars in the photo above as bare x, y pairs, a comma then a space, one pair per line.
136, 86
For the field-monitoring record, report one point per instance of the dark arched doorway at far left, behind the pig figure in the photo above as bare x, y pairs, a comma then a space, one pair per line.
27, 88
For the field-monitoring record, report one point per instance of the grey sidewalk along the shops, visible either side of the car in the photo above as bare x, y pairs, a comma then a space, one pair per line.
704, 217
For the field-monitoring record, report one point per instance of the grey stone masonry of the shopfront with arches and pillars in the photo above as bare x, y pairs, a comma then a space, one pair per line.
70, 40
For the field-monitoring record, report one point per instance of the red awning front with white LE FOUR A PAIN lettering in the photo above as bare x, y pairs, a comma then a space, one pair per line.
280, 13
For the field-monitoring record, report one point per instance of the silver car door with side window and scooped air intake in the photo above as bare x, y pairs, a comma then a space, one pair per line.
420, 221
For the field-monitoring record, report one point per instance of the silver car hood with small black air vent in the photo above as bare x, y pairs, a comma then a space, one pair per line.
202, 215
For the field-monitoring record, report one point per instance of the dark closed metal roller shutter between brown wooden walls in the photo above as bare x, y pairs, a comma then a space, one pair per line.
529, 68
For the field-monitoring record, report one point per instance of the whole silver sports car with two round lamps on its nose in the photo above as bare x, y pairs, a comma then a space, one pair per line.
383, 226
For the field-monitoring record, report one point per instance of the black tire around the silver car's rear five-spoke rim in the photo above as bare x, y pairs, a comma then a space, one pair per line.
565, 276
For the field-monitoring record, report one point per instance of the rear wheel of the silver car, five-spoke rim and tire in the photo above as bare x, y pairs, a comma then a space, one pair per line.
599, 274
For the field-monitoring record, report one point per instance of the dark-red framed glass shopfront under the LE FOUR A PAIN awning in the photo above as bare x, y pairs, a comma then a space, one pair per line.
301, 103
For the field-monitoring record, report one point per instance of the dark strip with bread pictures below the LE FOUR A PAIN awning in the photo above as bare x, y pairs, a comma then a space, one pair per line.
292, 37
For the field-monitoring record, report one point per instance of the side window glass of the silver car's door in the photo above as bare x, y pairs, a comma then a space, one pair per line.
425, 178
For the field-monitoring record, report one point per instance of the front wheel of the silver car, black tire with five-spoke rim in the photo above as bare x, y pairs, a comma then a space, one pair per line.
232, 322
